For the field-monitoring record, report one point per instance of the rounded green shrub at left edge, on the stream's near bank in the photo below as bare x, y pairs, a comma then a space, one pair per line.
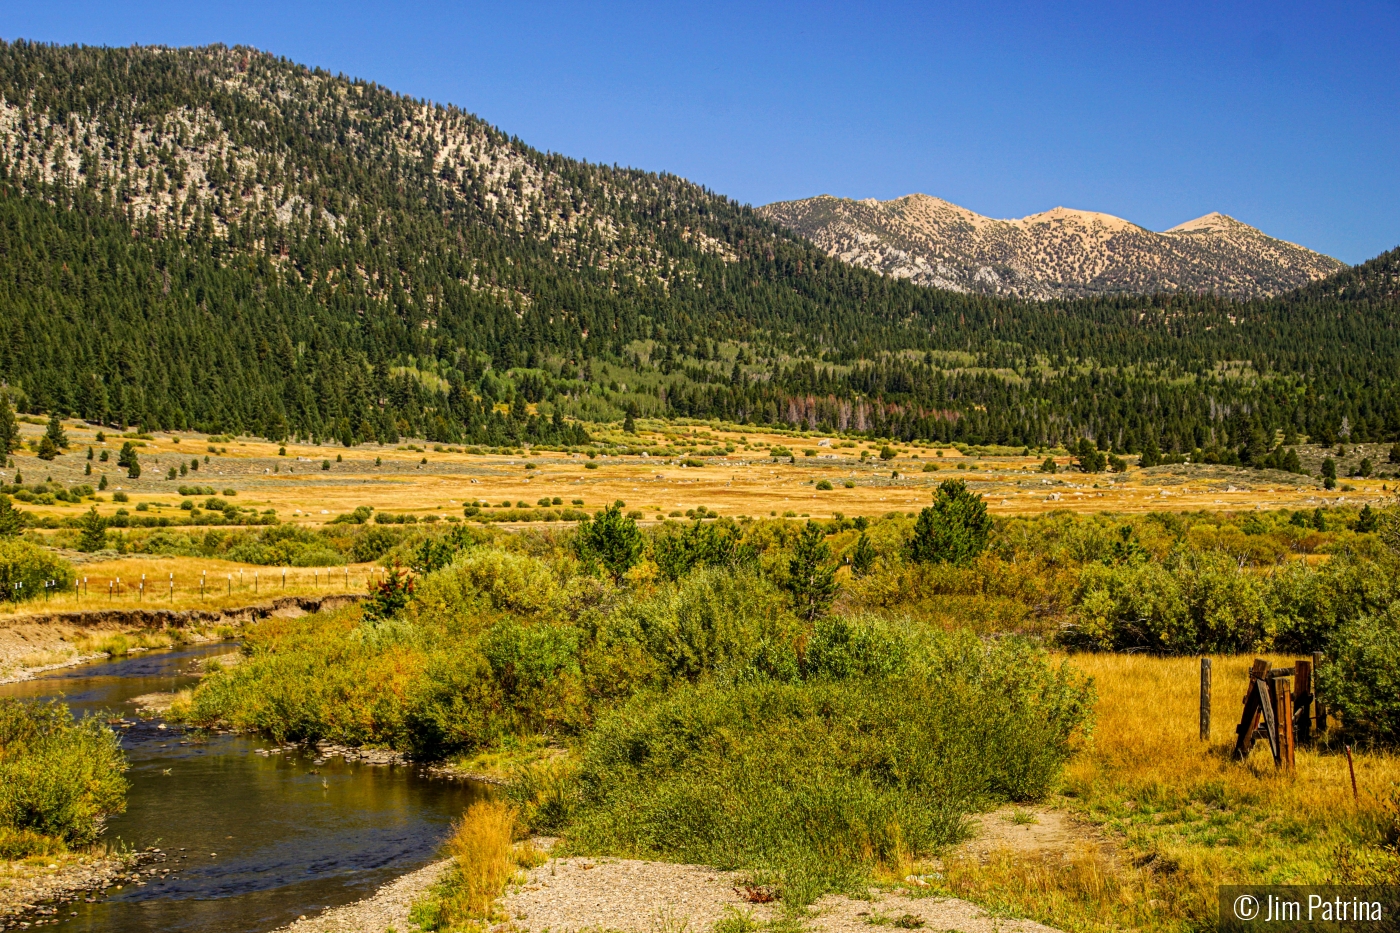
58, 778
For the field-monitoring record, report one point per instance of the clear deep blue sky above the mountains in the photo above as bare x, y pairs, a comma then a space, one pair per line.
1284, 117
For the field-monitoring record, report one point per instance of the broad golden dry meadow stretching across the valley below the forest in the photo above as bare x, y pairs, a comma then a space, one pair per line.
745, 483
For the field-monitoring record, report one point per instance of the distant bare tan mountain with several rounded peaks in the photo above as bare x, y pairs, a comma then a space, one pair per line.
1051, 256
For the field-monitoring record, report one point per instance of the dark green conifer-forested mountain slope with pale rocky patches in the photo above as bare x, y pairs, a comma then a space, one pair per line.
220, 240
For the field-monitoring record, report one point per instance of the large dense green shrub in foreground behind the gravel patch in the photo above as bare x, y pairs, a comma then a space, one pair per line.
810, 785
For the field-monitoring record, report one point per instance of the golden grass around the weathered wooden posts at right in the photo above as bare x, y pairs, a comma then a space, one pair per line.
1175, 817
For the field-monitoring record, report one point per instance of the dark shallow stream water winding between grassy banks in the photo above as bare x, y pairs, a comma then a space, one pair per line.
258, 840
